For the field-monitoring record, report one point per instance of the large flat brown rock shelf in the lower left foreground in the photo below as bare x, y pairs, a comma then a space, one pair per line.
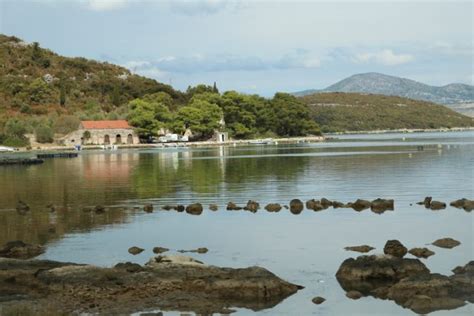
165, 282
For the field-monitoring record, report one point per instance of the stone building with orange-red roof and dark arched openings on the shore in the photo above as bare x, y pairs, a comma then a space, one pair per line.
102, 133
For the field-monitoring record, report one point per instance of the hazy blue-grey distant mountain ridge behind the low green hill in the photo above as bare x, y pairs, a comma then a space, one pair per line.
377, 83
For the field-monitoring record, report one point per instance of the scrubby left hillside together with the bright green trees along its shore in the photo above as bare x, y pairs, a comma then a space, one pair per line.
49, 94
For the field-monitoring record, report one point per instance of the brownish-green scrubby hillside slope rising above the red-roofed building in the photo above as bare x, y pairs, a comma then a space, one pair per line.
34, 80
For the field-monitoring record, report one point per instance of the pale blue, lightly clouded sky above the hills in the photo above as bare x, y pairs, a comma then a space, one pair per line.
256, 46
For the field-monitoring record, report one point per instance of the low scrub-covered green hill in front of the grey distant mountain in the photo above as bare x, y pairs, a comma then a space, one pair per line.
338, 112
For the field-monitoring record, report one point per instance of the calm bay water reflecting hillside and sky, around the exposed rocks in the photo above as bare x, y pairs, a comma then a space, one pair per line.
305, 249
